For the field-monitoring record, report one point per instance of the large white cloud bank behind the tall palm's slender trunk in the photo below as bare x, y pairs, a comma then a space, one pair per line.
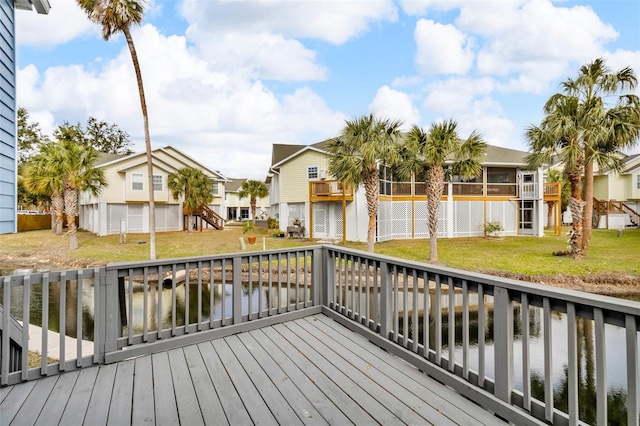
221, 118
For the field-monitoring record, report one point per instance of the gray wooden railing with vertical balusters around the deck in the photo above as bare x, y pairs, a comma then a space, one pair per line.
494, 340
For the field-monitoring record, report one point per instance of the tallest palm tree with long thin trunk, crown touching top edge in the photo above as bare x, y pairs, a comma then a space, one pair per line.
117, 16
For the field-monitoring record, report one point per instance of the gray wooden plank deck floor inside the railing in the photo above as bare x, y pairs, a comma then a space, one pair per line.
308, 371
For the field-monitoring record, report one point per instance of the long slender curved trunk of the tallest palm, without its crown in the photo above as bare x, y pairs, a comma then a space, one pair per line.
147, 142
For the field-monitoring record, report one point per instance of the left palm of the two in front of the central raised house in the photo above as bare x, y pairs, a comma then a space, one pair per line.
355, 154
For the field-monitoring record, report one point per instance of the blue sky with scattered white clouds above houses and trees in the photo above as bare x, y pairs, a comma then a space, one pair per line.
225, 80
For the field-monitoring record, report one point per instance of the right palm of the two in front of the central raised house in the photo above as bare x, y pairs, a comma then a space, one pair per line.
427, 153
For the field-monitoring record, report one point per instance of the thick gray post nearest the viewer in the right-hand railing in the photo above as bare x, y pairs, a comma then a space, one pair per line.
503, 341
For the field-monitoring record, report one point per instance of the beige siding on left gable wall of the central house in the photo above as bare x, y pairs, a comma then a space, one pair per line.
294, 176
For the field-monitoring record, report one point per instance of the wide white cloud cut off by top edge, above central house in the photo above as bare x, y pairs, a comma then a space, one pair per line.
335, 21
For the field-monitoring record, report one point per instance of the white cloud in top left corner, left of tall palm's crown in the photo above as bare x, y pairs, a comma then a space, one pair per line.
64, 22
